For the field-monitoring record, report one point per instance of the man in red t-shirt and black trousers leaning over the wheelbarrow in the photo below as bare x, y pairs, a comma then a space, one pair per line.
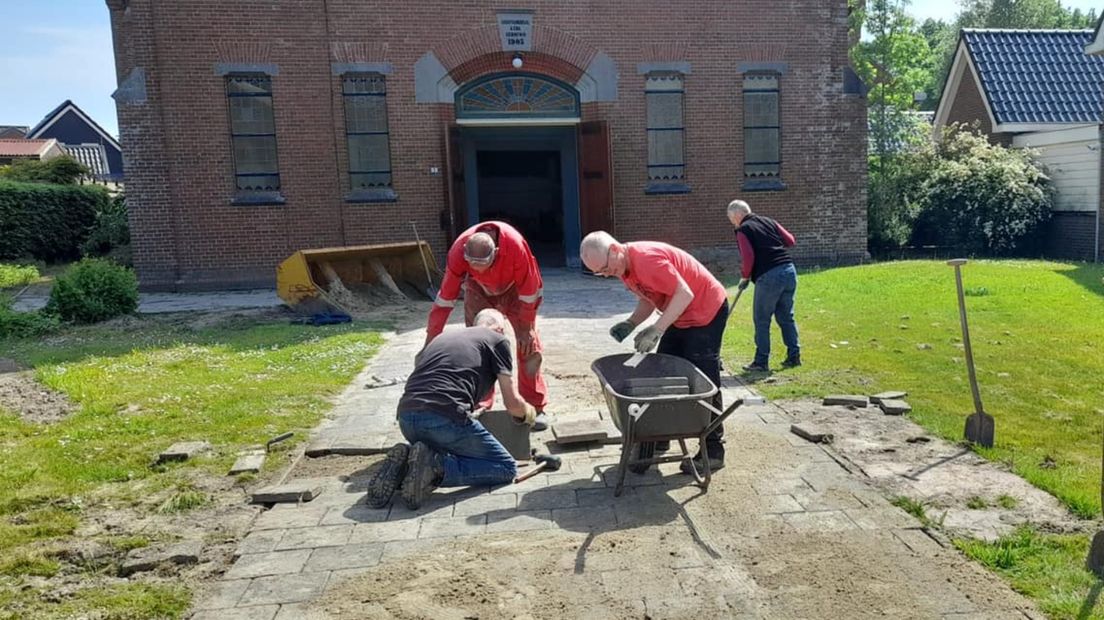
693, 306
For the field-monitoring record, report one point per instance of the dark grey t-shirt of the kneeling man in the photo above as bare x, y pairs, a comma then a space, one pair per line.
457, 371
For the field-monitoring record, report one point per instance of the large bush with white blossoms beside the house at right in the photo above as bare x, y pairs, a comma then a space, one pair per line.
983, 198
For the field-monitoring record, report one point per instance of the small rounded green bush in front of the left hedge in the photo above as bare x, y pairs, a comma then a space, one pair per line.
94, 291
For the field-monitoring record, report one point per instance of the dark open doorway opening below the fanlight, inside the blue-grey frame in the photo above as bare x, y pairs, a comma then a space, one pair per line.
526, 190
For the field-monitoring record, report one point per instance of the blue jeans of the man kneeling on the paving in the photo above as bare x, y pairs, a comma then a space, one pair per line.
470, 454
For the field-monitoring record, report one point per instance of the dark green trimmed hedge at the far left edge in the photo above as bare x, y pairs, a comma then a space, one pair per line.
48, 222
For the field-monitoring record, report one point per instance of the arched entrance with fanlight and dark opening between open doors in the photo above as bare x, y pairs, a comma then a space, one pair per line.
516, 142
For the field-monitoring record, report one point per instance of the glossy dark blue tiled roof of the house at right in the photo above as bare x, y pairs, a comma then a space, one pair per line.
1035, 77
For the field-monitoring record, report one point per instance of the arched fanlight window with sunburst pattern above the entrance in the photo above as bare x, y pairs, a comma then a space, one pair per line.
517, 95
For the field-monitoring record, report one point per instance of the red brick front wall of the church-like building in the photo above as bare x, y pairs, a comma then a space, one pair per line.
181, 169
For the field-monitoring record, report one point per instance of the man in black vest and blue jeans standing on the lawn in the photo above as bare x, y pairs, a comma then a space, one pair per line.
766, 261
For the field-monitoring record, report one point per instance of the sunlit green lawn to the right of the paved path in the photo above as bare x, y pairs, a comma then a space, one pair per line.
1038, 333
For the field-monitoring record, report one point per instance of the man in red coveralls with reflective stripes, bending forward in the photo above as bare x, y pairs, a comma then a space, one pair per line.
494, 264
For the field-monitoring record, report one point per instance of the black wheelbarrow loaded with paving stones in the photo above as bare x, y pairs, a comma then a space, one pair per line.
664, 399
